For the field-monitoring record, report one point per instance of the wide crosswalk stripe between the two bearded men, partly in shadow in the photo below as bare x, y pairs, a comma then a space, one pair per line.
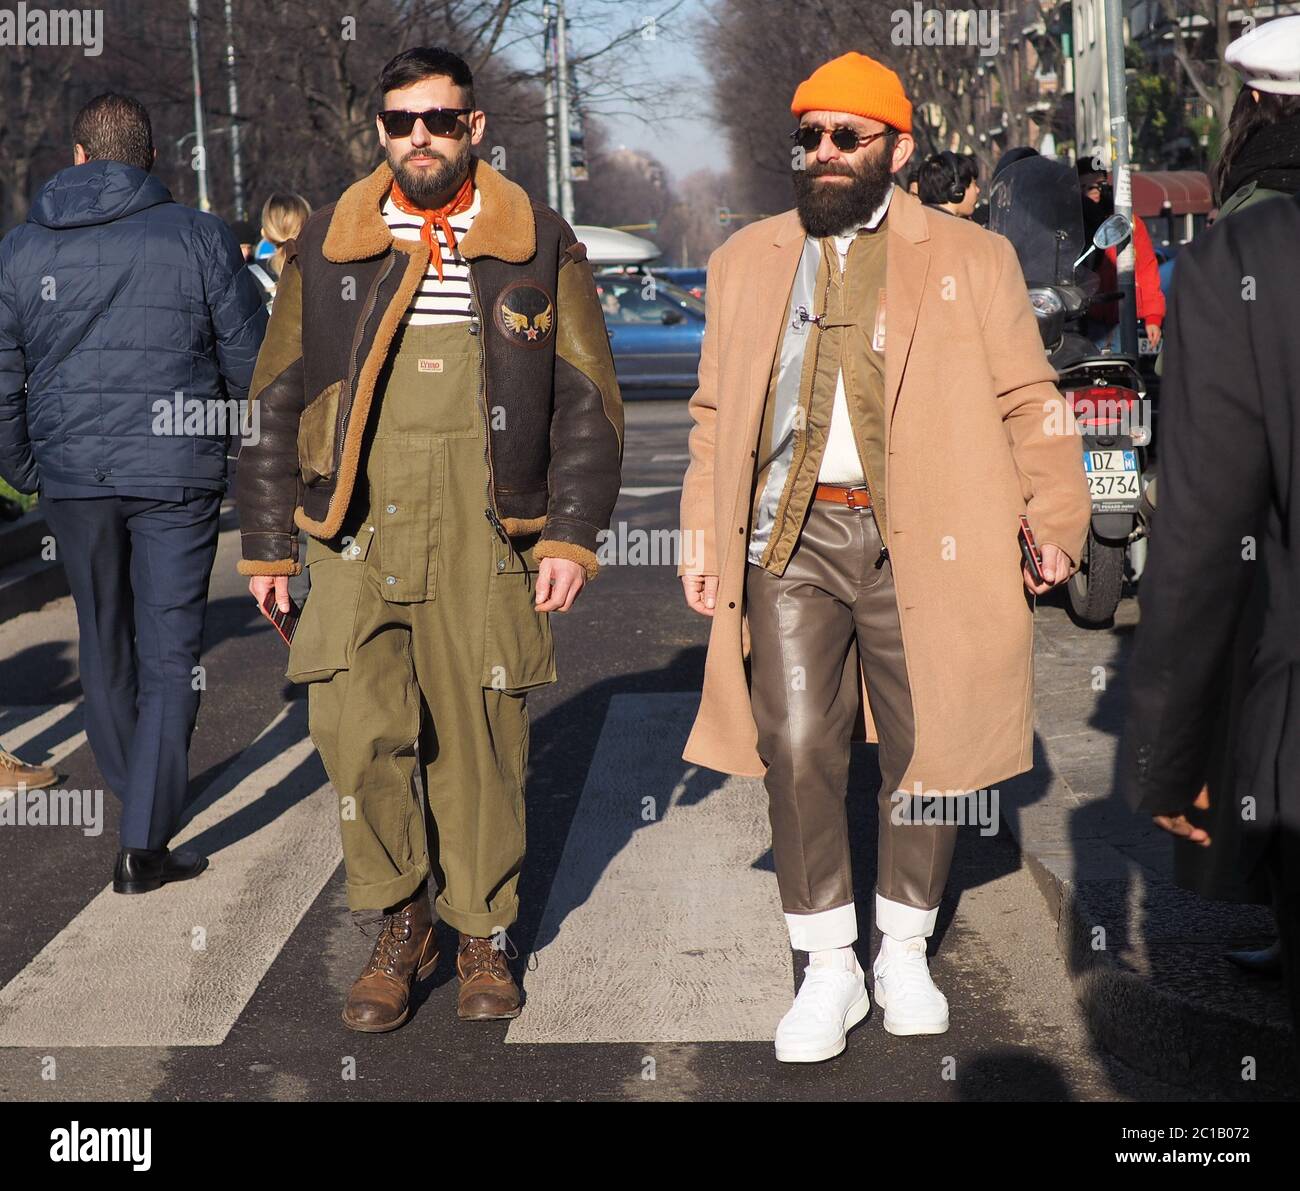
658, 926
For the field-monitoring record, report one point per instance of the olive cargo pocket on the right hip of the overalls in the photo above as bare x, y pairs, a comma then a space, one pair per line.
519, 652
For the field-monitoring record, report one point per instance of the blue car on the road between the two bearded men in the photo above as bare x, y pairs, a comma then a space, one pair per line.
656, 330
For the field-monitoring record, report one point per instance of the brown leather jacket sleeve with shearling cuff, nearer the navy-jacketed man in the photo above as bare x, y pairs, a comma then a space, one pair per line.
268, 483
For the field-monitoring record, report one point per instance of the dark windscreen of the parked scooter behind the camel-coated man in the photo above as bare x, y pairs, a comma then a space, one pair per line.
1035, 203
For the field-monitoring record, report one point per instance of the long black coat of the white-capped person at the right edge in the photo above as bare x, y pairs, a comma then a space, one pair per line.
1224, 560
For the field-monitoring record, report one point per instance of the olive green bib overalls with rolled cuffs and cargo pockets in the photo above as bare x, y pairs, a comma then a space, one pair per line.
419, 639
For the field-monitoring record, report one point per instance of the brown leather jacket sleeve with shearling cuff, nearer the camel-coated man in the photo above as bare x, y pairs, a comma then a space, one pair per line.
587, 423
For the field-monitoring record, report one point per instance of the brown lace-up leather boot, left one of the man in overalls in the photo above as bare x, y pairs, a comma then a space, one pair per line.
406, 951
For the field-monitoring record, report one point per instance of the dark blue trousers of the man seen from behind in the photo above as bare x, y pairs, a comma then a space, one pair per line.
138, 570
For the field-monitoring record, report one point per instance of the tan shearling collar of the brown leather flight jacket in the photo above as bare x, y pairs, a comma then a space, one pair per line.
504, 227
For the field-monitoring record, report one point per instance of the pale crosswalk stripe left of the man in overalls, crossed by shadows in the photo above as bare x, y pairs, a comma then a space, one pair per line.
176, 968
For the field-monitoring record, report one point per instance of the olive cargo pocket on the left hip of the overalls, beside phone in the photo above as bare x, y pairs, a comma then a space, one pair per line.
323, 642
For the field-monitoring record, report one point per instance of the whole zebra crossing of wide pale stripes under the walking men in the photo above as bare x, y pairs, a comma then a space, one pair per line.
653, 841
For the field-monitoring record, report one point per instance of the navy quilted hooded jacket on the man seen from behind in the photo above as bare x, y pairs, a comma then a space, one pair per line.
114, 298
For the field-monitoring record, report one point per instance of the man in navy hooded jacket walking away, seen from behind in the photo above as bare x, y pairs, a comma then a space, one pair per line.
129, 330
